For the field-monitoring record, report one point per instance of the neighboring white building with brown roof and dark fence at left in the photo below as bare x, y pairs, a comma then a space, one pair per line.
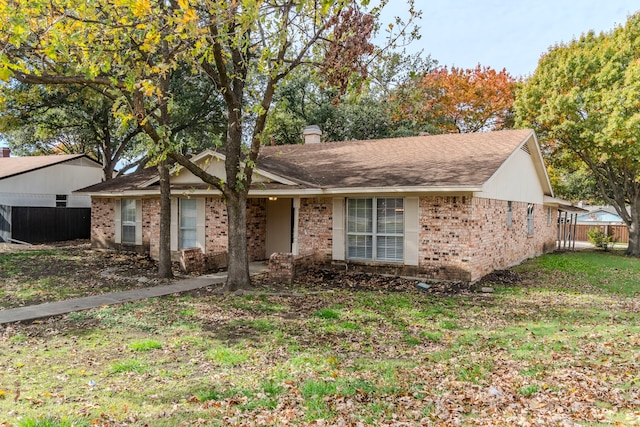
30, 185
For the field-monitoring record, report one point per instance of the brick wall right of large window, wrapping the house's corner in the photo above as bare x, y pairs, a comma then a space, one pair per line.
465, 238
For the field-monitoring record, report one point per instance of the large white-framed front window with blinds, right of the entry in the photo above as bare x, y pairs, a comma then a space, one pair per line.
375, 229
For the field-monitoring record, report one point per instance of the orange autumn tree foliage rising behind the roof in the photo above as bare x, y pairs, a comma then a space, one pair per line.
457, 100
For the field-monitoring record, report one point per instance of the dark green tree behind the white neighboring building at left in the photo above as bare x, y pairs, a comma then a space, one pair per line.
42, 120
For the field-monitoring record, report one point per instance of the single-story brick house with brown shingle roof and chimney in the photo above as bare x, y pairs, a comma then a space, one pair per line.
452, 206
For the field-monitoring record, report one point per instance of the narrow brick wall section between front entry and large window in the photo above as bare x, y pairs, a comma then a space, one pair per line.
315, 226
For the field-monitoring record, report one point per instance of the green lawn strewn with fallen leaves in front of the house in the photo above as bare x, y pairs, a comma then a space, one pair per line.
560, 348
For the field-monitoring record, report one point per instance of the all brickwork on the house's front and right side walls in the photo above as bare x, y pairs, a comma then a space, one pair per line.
460, 238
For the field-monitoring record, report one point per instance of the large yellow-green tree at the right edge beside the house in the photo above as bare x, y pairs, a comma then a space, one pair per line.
583, 103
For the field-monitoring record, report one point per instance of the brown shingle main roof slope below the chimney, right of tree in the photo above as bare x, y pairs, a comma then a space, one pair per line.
435, 160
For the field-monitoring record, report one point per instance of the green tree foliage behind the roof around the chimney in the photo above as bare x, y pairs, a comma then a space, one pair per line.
360, 113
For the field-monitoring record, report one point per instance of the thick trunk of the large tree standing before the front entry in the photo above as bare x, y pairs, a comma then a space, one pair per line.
238, 268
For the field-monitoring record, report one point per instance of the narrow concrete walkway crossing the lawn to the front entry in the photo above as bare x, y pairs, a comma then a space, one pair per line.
77, 304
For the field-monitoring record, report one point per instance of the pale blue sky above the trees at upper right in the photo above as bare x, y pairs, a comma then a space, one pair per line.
509, 34
